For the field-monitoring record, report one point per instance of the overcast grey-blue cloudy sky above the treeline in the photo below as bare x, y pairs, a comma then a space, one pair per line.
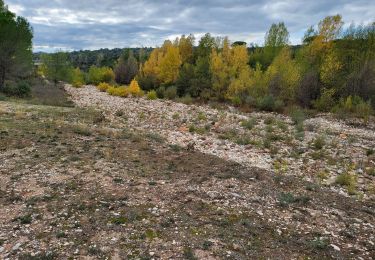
94, 24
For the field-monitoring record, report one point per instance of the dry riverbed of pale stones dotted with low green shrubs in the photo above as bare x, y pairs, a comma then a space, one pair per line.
321, 151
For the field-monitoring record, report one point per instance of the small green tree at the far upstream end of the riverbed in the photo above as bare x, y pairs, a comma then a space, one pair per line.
56, 66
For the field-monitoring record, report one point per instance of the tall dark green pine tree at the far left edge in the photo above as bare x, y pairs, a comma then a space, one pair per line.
15, 45
